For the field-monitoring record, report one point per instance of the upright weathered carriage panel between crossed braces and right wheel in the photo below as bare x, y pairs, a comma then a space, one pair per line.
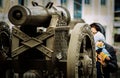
61, 42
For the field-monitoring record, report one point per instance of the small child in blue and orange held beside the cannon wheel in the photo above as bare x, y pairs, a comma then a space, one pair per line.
102, 56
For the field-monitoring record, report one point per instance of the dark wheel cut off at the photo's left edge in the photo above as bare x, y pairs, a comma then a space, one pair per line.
5, 54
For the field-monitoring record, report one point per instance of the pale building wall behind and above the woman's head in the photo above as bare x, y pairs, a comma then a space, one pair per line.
104, 14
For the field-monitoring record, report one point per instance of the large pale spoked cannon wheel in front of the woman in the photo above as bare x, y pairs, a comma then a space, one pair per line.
81, 53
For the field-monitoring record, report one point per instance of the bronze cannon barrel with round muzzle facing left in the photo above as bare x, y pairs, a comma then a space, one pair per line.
35, 15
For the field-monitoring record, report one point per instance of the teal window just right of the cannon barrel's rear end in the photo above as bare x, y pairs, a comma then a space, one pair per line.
77, 8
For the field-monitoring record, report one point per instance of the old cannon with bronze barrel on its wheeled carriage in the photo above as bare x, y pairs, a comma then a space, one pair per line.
64, 50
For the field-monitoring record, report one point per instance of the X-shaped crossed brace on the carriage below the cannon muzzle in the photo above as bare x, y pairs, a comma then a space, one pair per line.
30, 42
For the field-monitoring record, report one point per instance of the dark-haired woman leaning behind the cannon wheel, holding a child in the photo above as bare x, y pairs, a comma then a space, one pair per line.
111, 65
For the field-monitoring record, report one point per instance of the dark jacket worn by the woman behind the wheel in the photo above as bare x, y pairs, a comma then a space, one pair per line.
112, 64
